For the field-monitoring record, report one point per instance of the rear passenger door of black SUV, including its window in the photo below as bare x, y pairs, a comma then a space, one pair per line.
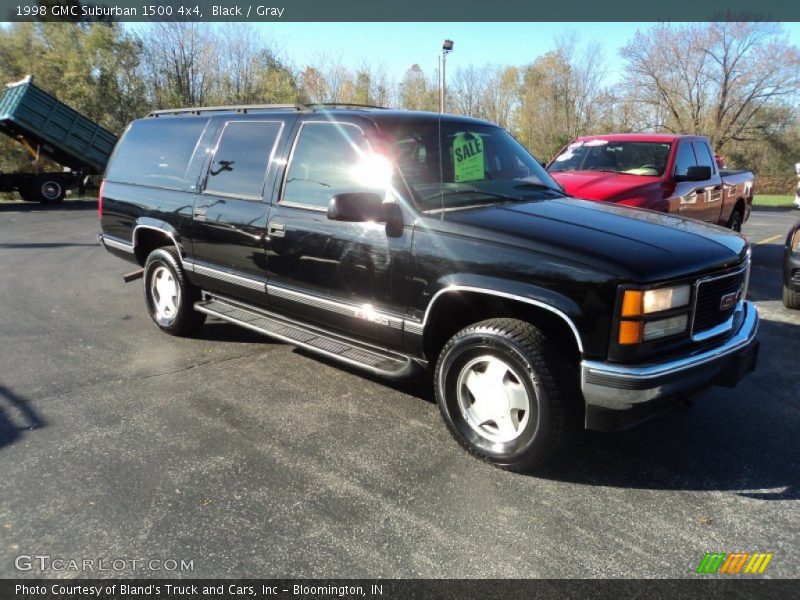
230, 211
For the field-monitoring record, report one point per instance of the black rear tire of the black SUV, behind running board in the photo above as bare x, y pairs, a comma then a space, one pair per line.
181, 319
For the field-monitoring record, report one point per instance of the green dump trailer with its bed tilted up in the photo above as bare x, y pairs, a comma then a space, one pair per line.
48, 127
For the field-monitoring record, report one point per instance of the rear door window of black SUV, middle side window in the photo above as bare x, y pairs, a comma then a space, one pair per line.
242, 157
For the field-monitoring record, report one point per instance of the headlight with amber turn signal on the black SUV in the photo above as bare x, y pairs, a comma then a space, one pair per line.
635, 328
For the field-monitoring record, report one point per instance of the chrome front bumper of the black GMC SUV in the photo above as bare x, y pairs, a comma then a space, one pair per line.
609, 387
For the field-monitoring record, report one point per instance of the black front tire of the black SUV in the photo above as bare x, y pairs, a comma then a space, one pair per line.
533, 363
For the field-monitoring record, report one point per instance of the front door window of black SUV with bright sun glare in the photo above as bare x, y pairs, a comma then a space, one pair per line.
322, 163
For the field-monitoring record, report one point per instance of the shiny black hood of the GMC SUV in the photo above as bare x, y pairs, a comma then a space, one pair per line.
641, 245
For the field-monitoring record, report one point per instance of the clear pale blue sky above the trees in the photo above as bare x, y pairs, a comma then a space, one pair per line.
397, 46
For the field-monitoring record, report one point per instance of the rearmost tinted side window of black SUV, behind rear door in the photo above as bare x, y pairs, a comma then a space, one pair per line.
156, 152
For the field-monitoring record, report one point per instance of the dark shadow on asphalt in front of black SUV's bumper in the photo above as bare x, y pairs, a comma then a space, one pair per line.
726, 442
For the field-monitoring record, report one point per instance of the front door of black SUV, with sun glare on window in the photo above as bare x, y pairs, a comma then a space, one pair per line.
345, 276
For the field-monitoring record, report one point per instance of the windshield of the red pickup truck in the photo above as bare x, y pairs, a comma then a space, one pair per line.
630, 158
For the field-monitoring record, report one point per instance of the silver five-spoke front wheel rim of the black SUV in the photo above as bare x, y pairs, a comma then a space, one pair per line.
493, 399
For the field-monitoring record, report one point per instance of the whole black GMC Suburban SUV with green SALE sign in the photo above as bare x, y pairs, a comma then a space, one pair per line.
399, 242
